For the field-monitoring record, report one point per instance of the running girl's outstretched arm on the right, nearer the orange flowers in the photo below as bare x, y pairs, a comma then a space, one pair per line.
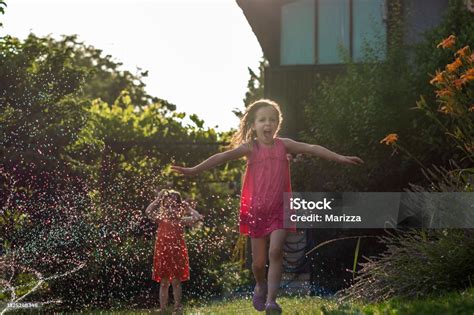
319, 151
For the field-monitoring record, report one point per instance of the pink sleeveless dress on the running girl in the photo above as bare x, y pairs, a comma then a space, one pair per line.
266, 179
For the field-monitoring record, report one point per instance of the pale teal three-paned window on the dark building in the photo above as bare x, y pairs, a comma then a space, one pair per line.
313, 31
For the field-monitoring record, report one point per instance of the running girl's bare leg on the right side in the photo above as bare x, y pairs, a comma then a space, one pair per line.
275, 253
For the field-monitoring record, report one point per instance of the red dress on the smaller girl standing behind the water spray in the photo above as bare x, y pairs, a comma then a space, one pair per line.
171, 256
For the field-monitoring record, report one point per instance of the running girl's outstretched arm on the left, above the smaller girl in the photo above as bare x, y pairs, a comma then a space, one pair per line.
213, 161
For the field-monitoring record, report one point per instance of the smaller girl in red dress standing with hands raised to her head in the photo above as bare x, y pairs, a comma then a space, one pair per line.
170, 261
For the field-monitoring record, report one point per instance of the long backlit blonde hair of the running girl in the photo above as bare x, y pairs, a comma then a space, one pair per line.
245, 132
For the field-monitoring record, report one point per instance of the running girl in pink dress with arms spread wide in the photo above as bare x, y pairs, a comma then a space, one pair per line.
267, 178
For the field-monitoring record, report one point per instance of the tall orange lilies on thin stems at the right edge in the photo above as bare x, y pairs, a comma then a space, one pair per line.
455, 96
